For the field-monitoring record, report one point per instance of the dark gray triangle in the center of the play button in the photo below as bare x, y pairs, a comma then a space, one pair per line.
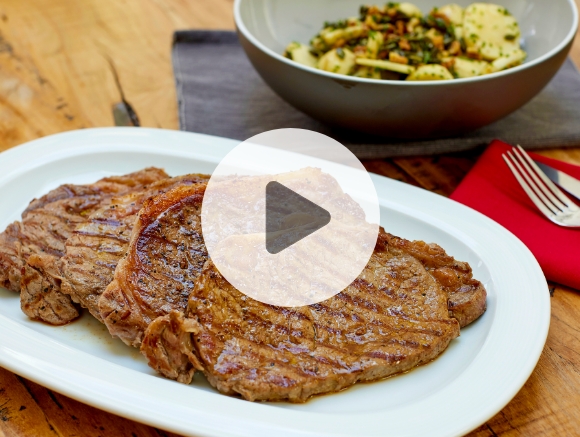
300, 217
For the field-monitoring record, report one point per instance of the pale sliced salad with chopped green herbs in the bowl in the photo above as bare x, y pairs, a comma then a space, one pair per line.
430, 39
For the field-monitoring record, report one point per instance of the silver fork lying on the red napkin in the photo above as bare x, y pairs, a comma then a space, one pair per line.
549, 199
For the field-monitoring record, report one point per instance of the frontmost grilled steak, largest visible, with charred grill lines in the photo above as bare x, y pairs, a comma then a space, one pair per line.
392, 318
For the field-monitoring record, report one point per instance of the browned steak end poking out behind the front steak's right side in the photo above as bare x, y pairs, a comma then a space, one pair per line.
467, 296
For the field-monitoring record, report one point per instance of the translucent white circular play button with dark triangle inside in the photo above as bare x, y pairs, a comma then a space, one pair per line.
290, 217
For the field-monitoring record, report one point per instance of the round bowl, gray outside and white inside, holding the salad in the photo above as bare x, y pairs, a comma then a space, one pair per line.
401, 109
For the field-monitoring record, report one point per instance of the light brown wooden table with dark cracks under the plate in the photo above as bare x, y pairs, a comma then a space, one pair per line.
65, 63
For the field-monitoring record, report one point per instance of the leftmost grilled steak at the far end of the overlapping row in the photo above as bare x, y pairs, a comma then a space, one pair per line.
30, 249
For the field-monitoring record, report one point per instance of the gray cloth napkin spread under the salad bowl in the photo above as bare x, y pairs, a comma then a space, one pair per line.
220, 93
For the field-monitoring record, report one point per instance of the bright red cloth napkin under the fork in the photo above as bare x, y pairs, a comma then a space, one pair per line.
491, 189
